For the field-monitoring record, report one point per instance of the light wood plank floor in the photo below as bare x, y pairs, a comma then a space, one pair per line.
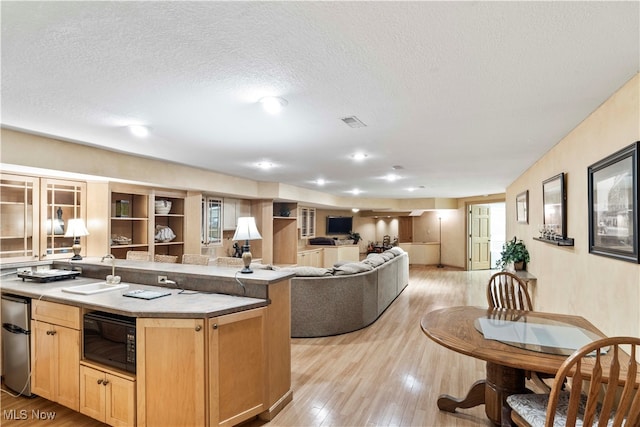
388, 374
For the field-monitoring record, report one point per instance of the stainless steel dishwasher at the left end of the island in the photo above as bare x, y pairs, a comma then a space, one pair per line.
16, 348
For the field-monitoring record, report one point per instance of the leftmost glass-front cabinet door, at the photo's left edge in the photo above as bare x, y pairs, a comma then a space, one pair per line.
19, 210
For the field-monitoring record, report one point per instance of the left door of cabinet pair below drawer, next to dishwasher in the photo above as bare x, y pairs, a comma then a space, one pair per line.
44, 352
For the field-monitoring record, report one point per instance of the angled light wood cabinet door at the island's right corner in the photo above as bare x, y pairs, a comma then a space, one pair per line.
237, 367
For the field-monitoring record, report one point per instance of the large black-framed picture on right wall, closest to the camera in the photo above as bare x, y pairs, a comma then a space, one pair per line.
613, 205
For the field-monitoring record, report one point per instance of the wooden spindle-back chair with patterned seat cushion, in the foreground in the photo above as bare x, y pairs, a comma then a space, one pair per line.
603, 389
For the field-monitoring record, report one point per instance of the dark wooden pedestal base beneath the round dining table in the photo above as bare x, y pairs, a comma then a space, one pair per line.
501, 382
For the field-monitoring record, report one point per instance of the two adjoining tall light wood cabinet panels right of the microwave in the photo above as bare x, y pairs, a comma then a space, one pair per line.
173, 388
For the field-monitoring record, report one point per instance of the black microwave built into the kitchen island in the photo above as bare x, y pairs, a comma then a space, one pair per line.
110, 339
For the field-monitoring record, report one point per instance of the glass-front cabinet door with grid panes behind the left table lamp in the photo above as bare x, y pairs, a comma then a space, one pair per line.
60, 202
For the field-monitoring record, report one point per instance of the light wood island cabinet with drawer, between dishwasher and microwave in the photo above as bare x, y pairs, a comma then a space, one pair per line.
55, 330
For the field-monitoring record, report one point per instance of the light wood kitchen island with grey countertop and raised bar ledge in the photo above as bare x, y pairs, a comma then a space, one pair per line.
215, 351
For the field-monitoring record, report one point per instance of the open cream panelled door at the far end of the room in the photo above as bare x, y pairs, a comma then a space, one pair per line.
480, 237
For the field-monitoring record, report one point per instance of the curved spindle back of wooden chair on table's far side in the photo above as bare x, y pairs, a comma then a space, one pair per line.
506, 290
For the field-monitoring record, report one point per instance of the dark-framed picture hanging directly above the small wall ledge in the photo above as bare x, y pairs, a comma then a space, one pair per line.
554, 205
